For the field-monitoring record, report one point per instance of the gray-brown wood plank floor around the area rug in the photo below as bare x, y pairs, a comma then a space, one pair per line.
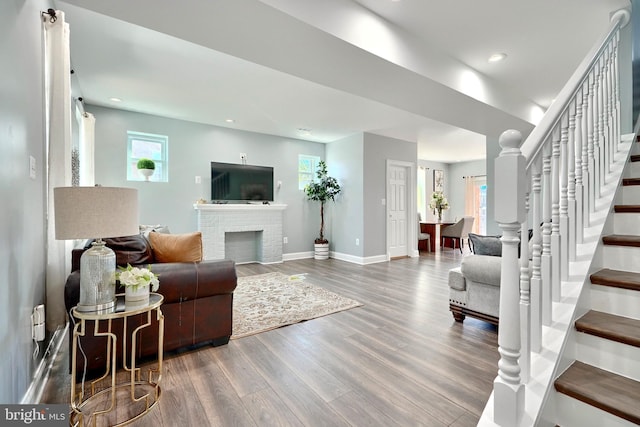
400, 360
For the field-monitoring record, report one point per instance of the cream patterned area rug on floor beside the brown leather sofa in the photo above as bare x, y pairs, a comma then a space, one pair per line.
272, 300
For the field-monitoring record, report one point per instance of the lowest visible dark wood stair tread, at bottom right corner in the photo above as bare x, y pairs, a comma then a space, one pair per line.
605, 390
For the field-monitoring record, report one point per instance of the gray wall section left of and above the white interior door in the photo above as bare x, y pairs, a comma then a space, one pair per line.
377, 150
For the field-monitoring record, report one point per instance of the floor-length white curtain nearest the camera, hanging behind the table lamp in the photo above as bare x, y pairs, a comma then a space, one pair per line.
58, 156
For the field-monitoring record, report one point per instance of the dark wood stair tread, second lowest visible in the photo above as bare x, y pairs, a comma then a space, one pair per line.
609, 326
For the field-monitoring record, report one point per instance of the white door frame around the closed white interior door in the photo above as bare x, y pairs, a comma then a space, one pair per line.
410, 197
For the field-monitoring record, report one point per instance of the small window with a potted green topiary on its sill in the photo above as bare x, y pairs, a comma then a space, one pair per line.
145, 145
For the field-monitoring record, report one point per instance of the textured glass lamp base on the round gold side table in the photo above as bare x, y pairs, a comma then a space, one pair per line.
97, 278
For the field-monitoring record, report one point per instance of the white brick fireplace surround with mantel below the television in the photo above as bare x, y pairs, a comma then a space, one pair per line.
216, 220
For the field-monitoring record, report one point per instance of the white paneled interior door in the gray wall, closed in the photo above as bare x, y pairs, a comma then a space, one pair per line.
397, 209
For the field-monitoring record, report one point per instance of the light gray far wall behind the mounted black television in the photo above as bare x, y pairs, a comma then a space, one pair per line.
192, 147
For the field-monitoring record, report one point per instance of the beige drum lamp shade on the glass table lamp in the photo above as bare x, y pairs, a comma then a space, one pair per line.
95, 212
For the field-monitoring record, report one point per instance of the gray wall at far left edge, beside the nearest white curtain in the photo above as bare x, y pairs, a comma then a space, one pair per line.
22, 219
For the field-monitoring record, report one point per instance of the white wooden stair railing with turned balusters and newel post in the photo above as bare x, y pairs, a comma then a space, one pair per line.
555, 178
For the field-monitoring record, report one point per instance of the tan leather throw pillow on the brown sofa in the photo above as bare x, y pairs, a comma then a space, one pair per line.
176, 247
